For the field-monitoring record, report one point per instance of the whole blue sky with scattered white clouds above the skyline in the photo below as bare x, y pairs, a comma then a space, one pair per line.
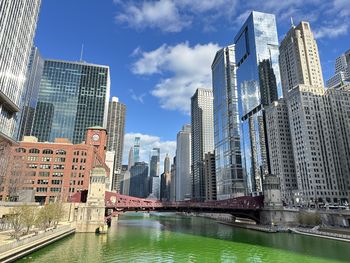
160, 52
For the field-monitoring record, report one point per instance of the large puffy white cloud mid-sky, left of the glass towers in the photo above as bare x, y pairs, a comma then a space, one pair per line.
188, 67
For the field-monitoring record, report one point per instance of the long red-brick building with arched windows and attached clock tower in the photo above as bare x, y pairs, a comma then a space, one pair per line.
57, 169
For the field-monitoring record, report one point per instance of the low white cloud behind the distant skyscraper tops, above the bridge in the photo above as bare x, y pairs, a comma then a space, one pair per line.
148, 142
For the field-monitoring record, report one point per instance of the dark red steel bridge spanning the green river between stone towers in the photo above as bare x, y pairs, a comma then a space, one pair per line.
245, 206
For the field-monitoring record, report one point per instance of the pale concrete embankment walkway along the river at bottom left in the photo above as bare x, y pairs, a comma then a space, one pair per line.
16, 250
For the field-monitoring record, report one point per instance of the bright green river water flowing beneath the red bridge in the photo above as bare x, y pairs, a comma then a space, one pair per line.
170, 238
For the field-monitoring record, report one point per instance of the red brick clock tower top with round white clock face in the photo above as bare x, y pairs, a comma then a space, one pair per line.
97, 136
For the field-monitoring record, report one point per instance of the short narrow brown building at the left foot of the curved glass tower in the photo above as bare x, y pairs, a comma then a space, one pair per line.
209, 176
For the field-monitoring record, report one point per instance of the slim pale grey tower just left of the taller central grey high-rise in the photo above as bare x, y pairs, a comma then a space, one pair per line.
183, 179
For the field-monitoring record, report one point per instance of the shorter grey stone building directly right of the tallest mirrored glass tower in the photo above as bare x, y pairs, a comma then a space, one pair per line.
281, 149
